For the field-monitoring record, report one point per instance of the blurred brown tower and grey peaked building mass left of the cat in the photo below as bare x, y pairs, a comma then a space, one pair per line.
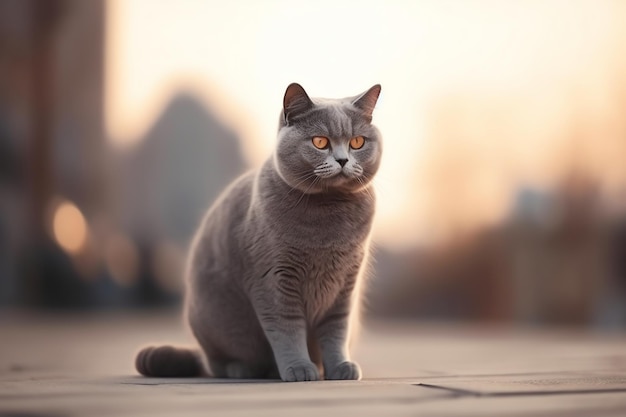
82, 224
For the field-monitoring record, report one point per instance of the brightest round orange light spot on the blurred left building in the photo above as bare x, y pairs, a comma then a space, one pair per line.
69, 227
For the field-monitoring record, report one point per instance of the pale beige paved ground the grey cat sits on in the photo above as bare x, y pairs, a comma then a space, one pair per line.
82, 365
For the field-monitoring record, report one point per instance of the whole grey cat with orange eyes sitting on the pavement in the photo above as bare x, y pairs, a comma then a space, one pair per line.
275, 270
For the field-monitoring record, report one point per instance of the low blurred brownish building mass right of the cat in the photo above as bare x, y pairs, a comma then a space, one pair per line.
558, 257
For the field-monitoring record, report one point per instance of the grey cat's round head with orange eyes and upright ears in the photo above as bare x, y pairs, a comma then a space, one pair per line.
328, 144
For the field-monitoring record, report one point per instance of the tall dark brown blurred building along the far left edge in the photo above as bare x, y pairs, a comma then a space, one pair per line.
51, 110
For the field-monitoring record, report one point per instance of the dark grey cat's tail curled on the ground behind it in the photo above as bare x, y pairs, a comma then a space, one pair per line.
169, 361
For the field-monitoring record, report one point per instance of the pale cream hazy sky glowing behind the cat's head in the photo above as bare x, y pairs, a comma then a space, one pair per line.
239, 56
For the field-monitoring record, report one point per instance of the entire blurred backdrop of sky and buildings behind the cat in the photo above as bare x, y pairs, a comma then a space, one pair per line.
502, 193
